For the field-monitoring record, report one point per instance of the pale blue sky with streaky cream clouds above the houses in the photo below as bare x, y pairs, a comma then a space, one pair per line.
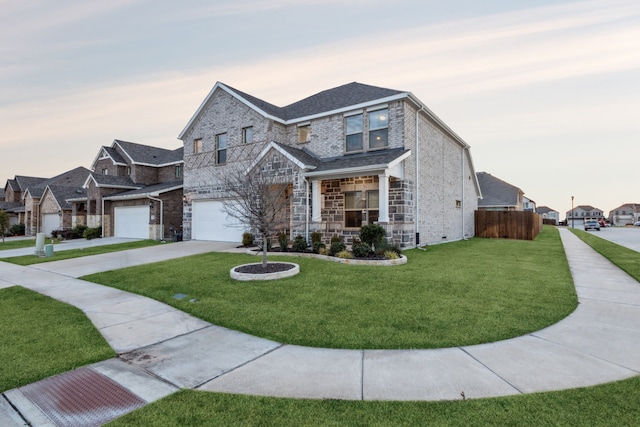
545, 92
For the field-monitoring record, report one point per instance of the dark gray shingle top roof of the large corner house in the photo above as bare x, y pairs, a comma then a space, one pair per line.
322, 102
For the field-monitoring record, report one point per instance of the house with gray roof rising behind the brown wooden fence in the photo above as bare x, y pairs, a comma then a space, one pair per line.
498, 195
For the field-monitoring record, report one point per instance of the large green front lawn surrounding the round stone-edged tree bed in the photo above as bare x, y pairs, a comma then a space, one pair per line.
454, 294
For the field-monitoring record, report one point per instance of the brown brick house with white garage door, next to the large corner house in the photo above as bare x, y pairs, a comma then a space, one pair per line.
134, 191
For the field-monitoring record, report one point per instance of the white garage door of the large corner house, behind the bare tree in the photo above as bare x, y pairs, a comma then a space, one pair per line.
209, 221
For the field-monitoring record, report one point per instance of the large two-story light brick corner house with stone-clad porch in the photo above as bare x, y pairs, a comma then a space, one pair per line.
353, 155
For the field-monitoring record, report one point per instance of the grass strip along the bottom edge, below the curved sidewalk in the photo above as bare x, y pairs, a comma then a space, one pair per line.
605, 405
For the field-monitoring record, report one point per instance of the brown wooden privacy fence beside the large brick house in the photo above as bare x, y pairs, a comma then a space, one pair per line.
507, 224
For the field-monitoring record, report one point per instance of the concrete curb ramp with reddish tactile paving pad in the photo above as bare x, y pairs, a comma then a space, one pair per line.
82, 397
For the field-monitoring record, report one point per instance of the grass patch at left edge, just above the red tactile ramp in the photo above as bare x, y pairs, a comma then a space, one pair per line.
43, 337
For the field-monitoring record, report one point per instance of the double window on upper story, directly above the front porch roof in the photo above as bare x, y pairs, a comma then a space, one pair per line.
377, 135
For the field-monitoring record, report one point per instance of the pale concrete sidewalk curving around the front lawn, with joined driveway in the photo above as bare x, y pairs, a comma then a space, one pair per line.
162, 349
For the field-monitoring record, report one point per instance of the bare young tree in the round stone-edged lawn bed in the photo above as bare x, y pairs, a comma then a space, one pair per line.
258, 199
